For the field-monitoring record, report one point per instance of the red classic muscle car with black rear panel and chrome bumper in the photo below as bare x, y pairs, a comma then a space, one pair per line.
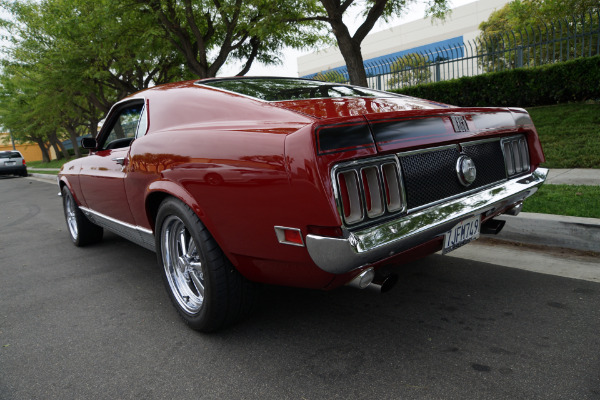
293, 182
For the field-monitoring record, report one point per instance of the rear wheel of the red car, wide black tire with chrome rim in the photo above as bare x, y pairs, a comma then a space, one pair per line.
205, 288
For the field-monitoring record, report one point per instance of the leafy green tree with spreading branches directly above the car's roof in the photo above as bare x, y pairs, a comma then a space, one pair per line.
209, 33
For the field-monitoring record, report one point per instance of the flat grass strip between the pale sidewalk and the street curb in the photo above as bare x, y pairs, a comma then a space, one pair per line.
571, 200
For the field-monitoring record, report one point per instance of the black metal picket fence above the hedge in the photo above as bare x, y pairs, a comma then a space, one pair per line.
545, 44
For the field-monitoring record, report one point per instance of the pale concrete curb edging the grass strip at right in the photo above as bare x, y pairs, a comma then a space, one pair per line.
552, 230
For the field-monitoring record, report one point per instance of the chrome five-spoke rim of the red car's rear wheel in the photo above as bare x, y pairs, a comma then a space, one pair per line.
183, 267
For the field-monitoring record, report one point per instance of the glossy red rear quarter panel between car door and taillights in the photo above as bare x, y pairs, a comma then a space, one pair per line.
231, 169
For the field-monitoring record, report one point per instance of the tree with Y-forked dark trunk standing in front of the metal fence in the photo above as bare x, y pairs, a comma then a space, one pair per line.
350, 44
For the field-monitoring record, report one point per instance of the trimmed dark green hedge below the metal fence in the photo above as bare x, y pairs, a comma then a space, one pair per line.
575, 80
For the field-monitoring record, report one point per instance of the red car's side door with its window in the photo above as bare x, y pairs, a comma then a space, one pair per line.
103, 172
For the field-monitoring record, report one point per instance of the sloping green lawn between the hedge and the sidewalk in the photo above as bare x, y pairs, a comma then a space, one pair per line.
570, 134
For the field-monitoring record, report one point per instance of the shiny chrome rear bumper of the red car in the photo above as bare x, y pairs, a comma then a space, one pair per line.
373, 244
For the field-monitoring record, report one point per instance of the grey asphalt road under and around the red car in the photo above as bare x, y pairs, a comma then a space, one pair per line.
96, 323
